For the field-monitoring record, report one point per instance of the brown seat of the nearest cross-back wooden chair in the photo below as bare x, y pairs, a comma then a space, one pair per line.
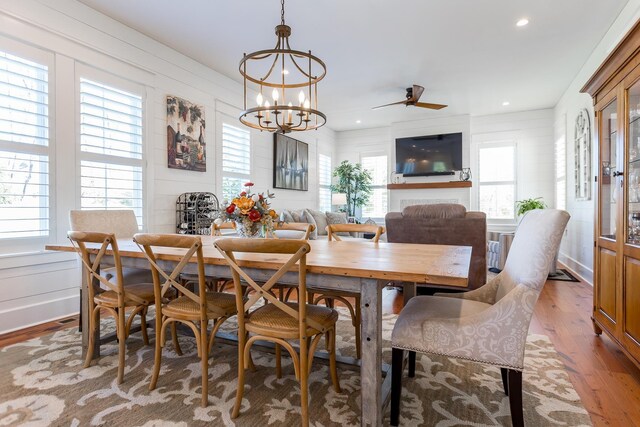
270, 320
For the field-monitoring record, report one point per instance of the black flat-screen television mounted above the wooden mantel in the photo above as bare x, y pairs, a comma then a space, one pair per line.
429, 155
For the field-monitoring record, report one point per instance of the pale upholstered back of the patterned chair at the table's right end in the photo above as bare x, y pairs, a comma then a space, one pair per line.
533, 250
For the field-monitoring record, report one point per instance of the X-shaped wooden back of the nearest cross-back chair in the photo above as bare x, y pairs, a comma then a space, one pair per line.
298, 249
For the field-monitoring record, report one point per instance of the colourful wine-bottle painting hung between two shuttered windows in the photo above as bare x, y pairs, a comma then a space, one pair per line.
186, 146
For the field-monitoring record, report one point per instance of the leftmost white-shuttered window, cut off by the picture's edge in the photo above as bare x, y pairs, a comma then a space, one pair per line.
24, 148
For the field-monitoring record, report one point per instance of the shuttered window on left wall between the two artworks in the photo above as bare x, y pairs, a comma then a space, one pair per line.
236, 160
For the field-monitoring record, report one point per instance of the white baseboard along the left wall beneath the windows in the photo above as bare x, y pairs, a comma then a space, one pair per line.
35, 314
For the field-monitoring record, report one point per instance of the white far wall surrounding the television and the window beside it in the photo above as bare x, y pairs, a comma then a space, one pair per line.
531, 130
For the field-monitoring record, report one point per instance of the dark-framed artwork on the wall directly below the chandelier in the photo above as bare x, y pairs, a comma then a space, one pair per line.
290, 163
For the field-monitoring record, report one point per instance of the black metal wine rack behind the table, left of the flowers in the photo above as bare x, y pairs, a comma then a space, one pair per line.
195, 213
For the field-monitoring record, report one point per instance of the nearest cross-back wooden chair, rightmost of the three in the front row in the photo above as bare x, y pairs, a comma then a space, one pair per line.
277, 321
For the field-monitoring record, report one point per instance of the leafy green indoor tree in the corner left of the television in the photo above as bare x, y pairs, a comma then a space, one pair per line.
355, 182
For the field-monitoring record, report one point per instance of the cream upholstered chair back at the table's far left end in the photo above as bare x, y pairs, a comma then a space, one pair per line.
122, 223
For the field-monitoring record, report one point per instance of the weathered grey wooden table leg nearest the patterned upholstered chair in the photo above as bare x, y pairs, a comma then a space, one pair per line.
371, 340
